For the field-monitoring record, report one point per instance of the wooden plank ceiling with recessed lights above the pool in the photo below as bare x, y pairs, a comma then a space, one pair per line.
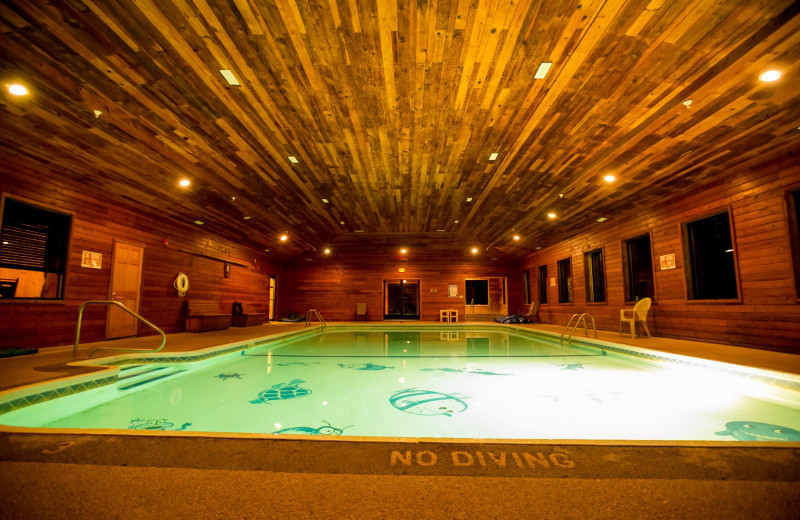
392, 109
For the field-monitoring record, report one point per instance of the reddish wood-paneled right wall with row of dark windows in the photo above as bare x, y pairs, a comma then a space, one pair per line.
768, 313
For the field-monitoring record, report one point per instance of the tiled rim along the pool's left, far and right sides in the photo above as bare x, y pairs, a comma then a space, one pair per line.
17, 398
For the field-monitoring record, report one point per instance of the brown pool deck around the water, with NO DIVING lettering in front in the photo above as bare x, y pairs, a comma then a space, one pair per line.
123, 475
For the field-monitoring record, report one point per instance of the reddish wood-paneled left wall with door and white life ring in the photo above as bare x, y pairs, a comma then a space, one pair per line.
97, 223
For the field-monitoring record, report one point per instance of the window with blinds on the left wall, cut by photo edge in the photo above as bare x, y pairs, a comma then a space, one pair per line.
33, 251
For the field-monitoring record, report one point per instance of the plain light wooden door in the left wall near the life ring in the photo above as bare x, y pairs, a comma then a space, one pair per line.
126, 281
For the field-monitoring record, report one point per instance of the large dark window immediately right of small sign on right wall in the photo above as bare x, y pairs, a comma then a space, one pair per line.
710, 266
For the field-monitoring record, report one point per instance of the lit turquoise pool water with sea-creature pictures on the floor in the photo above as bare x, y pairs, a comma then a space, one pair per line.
492, 382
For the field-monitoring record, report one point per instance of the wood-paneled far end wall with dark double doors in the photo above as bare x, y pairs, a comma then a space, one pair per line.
354, 274
